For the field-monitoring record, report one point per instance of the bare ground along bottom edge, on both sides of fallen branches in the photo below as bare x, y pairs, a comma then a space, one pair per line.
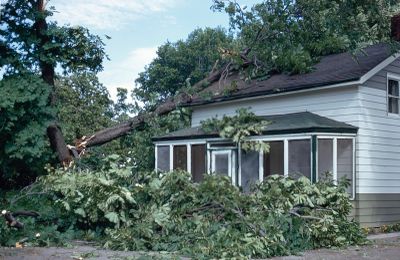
387, 248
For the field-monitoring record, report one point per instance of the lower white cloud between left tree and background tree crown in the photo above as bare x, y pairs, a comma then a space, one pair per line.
122, 74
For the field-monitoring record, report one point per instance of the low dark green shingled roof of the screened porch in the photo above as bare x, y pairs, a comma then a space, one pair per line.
303, 122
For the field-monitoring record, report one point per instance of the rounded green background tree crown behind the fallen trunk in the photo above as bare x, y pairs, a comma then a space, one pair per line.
180, 64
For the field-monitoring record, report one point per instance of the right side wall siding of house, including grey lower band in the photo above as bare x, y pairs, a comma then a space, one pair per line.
379, 155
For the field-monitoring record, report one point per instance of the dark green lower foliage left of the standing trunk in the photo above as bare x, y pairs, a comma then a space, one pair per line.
24, 117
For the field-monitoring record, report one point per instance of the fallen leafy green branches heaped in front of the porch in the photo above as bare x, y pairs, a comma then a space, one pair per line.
214, 219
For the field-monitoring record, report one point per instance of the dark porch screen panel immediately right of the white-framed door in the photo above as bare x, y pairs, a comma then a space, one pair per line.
249, 168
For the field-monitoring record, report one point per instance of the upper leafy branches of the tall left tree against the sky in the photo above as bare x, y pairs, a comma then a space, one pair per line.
73, 49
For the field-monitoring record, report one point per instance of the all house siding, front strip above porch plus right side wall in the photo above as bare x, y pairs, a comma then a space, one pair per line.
378, 140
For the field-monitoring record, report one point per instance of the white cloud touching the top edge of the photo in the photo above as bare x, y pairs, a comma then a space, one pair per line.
107, 14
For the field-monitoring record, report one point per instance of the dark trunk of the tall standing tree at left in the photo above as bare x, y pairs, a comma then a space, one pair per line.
54, 133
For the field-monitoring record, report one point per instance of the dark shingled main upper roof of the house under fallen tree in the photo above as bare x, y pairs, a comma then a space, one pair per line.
332, 69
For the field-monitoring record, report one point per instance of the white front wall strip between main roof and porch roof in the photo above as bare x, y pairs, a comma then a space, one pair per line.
341, 104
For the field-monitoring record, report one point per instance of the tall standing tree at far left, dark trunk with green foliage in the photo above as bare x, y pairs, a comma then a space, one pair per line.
31, 49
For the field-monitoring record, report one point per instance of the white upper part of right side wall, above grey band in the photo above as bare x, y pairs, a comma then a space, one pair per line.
379, 137
